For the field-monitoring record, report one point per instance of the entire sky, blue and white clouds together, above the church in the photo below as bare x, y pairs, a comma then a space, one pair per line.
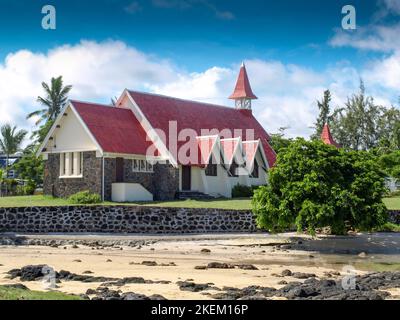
192, 48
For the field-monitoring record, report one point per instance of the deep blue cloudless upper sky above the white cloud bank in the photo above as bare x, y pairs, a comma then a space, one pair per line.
197, 33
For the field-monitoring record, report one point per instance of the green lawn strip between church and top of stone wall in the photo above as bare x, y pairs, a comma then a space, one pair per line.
38, 201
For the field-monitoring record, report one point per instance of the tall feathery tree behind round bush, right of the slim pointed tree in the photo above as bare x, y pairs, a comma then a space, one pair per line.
355, 126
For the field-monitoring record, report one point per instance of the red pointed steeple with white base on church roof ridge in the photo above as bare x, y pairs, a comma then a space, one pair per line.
243, 95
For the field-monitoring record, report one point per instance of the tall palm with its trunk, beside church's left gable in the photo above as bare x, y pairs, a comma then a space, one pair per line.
56, 95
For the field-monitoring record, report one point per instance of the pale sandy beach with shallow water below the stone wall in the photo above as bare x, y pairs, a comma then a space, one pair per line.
171, 259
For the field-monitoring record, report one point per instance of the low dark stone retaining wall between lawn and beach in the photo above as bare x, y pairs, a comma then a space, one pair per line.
118, 219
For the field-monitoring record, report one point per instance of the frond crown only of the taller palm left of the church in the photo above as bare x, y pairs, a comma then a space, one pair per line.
56, 95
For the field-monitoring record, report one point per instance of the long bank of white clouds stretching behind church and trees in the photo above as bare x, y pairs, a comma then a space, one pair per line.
98, 71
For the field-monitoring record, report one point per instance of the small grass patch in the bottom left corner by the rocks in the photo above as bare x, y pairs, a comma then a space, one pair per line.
7, 293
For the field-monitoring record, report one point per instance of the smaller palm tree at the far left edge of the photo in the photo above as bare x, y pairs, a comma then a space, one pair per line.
10, 142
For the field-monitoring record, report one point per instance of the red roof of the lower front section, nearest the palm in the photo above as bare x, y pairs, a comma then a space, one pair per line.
116, 130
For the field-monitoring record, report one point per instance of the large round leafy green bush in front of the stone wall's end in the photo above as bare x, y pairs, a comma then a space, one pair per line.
314, 185
